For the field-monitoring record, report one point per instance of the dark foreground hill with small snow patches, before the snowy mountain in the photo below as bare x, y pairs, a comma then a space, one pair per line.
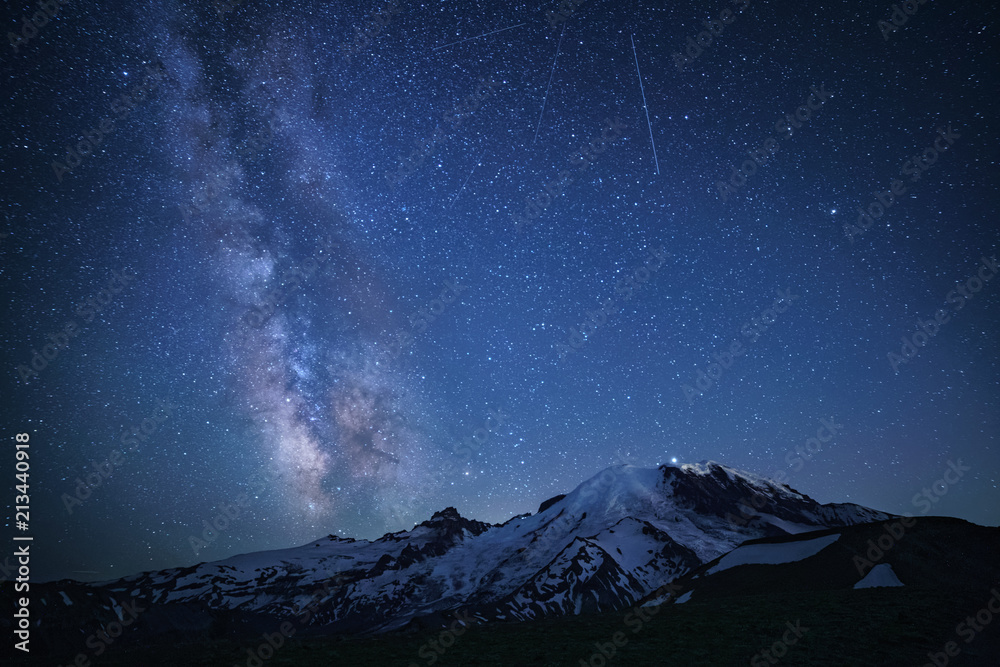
804, 612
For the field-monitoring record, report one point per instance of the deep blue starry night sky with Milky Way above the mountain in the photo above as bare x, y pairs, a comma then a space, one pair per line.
329, 268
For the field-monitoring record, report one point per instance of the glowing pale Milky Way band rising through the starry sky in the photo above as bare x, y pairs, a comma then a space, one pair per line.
322, 422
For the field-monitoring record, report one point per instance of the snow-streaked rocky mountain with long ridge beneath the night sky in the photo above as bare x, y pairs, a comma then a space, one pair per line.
604, 546
